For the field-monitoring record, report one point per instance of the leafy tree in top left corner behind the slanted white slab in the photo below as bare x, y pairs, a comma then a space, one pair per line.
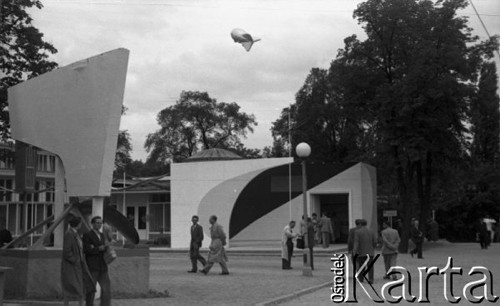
23, 52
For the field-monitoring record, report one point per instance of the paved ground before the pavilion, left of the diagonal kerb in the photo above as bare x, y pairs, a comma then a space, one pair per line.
252, 279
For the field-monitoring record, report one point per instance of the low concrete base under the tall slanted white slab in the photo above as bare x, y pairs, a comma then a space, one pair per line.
37, 273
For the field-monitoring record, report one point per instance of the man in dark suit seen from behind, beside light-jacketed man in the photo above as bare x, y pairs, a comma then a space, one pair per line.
365, 241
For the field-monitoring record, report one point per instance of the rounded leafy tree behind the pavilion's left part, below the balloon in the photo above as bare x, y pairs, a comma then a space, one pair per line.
197, 121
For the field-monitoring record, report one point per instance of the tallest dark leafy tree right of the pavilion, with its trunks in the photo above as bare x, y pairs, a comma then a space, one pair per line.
421, 60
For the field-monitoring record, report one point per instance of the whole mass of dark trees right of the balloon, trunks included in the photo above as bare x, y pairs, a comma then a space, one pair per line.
399, 99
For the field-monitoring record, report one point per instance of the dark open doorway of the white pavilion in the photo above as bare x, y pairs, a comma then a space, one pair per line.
336, 206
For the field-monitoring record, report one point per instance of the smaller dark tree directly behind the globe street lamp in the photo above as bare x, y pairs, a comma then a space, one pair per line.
323, 118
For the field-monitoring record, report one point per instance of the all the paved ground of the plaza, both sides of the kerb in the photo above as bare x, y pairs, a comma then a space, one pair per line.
259, 278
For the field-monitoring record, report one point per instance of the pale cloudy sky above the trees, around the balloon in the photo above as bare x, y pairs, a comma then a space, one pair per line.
180, 45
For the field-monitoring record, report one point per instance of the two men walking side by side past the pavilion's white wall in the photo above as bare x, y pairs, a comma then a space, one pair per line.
216, 253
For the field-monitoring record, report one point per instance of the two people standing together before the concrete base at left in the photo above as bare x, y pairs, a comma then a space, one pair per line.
83, 263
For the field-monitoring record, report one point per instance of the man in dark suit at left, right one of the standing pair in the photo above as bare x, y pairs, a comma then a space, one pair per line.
94, 247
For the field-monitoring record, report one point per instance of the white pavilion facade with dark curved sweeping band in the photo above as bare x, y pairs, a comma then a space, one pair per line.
255, 198
